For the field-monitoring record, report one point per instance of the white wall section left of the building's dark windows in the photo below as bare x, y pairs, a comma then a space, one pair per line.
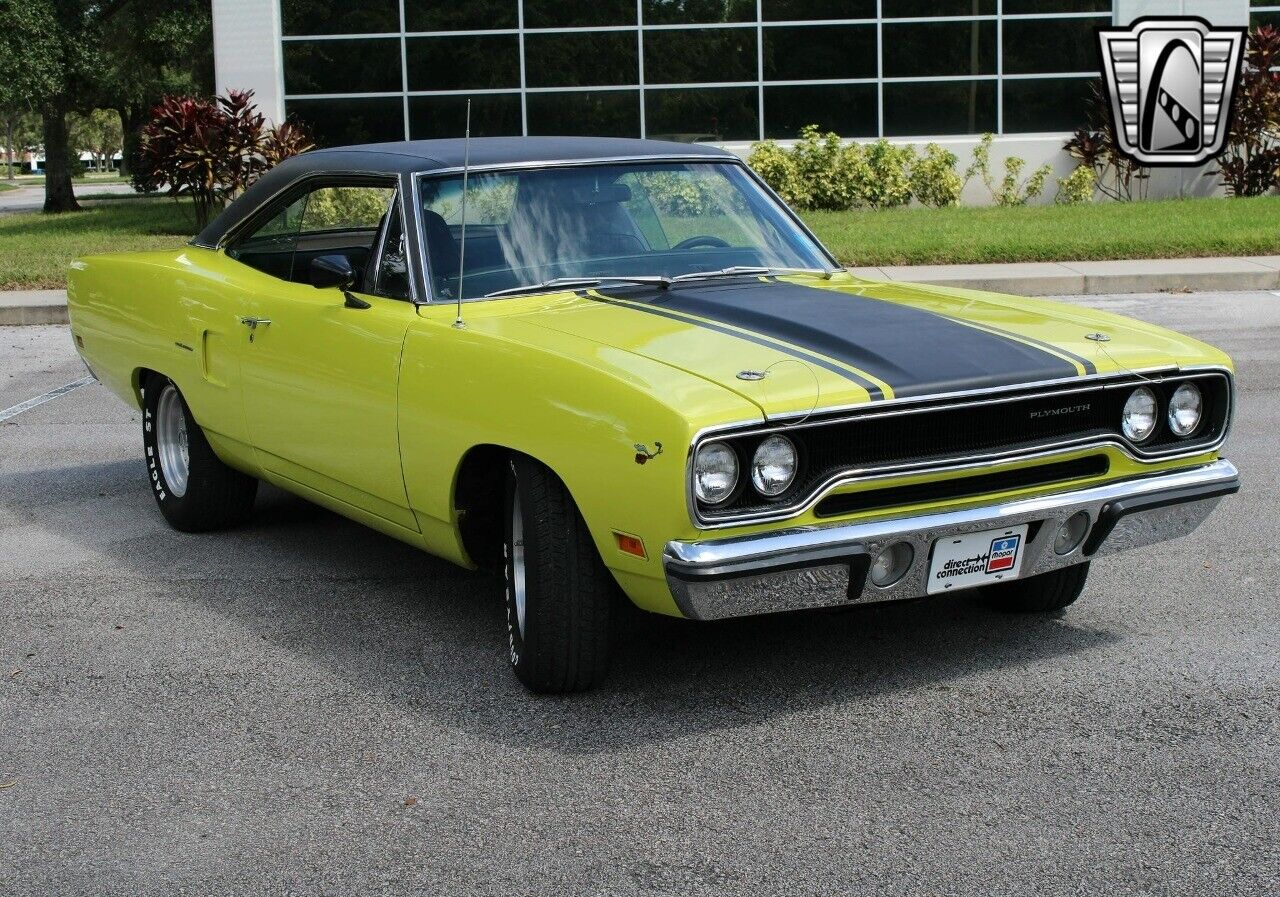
248, 52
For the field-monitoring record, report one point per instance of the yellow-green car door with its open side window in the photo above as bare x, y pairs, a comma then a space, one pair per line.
321, 368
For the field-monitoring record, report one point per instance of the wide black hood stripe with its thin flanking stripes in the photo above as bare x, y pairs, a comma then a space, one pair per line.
915, 351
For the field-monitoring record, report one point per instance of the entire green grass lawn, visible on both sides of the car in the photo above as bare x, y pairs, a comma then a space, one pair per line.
36, 249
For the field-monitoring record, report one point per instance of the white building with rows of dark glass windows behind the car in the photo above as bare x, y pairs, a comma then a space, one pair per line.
728, 72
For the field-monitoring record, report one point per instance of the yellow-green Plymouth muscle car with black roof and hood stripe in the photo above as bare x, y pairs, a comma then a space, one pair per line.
610, 367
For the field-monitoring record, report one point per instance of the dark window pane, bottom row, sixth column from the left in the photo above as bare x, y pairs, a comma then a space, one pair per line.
940, 108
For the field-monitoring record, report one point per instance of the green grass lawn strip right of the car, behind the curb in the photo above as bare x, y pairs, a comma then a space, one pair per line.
1167, 230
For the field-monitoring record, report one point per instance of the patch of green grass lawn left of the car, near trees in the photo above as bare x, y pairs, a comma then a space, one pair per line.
35, 249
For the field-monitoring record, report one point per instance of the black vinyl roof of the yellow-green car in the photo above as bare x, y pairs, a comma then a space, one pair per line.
413, 157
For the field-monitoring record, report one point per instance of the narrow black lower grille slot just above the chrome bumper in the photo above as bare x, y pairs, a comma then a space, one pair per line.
964, 487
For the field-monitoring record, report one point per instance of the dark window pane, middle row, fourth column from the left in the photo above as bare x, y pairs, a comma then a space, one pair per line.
692, 57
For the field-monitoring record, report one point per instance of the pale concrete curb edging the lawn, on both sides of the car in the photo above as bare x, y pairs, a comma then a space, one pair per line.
1072, 278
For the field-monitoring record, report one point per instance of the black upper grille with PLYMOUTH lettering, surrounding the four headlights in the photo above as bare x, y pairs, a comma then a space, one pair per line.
917, 436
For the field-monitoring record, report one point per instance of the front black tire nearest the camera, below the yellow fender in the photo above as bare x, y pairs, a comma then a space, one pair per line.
563, 644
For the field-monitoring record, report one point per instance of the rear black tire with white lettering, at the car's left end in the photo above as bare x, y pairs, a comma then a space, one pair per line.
214, 496
